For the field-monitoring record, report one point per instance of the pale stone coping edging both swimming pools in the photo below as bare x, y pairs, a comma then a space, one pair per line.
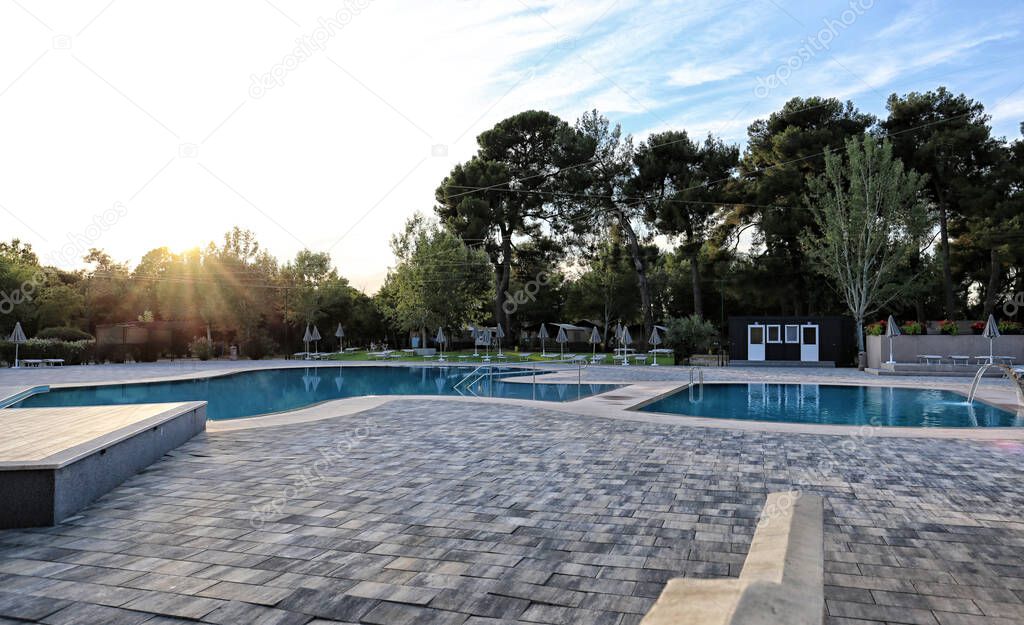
623, 404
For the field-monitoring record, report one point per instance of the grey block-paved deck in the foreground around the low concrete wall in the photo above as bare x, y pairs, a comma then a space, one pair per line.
484, 515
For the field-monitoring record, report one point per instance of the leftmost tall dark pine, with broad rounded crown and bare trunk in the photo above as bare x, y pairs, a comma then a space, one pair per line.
513, 188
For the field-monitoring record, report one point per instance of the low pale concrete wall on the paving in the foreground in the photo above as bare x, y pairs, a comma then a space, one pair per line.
783, 579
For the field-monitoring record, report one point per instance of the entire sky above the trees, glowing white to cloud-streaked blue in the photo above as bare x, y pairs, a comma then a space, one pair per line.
129, 127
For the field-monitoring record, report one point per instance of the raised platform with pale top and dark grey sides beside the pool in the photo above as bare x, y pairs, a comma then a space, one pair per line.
55, 462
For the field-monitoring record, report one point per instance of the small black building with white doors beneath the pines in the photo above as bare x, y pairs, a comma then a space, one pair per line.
821, 342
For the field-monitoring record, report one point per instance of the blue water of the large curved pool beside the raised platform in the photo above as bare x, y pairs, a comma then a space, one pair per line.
255, 393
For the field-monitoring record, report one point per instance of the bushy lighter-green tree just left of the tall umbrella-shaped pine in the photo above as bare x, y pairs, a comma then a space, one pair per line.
439, 281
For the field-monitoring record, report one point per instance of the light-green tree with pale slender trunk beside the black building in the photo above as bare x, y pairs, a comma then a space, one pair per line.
870, 214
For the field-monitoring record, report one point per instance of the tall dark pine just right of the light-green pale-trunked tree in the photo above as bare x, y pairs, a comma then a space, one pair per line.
948, 138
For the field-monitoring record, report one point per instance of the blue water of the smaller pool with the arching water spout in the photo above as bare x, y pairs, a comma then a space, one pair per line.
837, 406
